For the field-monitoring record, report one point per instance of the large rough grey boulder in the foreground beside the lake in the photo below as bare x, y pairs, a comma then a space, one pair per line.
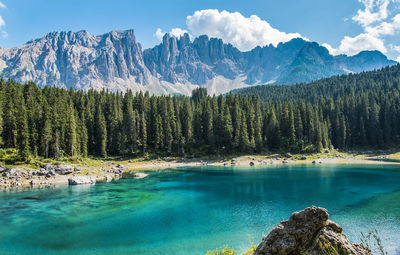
308, 232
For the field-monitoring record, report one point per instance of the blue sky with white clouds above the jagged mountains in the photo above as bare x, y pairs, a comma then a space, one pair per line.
343, 26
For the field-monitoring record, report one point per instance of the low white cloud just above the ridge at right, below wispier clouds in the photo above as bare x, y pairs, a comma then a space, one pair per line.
353, 45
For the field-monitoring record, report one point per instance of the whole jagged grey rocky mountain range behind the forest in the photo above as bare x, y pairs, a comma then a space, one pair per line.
116, 61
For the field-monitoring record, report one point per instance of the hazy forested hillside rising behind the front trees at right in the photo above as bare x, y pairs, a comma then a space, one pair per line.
384, 82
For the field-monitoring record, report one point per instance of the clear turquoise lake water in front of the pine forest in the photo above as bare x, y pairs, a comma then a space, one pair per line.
192, 210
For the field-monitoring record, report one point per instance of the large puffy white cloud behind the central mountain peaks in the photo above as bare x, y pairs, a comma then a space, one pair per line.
232, 27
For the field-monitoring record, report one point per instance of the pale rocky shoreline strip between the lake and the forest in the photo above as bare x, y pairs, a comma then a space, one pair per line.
19, 178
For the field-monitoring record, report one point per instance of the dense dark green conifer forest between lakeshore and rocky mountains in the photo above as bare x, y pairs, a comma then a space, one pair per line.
53, 122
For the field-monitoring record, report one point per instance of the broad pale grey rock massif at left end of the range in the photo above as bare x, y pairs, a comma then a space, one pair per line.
78, 60
